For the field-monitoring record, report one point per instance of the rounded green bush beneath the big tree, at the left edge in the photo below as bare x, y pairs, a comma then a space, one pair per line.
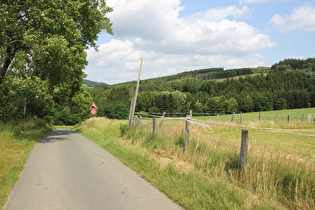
13, 93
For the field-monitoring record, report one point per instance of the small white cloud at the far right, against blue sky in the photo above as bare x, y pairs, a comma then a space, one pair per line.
302, 18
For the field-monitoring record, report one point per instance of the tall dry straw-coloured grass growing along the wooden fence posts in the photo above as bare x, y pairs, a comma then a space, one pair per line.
269, 174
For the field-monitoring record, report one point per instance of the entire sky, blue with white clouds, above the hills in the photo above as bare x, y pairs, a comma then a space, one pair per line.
174, 36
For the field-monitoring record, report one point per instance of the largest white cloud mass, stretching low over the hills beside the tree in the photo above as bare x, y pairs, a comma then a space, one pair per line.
171, 44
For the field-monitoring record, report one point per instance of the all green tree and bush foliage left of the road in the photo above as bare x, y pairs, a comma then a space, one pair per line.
42, 56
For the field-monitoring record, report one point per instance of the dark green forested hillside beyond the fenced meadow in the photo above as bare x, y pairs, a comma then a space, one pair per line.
285, 85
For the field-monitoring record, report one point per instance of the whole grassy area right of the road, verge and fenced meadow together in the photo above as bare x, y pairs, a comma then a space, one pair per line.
279, 173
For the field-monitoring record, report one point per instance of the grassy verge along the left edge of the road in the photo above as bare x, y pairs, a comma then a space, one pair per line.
16, 143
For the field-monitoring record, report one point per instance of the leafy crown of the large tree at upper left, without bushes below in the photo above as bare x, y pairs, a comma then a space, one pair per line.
47, 38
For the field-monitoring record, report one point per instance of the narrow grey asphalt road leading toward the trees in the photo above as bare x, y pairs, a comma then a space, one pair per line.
67, 171
